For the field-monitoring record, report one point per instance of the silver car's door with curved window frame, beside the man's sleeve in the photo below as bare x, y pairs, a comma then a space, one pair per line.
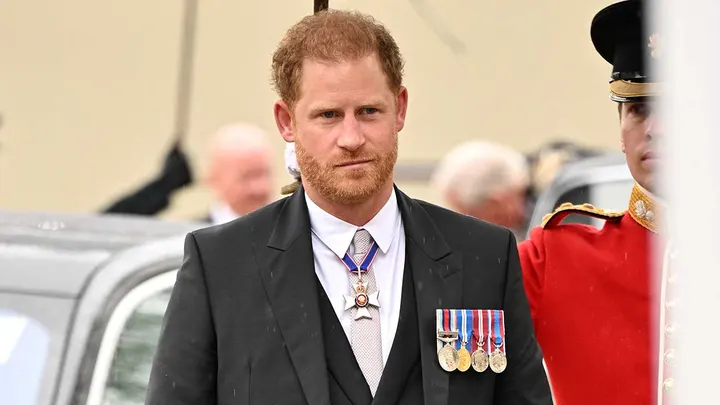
119, 317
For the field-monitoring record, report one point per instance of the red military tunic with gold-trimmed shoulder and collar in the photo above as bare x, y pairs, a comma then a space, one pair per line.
594, 299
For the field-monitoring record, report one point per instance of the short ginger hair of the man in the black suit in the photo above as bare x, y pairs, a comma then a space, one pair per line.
333, 36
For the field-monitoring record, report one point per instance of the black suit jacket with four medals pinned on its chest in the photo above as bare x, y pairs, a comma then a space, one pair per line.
244, 326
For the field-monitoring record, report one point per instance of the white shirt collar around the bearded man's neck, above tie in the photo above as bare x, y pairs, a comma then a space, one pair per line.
337, 234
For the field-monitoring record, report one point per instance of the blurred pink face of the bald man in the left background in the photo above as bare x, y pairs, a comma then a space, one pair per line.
244, 179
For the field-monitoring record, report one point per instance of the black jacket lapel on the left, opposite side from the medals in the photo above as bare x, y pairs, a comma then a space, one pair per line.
287, 270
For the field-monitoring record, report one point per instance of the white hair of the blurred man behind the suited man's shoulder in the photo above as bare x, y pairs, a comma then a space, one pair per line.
475, 170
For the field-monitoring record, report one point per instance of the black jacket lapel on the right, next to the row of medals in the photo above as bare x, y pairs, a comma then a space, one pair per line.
437, 275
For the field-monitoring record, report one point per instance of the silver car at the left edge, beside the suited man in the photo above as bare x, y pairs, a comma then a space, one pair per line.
81, 305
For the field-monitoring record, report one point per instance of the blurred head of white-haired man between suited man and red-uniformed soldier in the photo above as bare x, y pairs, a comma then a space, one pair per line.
487, 181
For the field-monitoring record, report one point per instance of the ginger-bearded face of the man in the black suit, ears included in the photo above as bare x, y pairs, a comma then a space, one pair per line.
345, 128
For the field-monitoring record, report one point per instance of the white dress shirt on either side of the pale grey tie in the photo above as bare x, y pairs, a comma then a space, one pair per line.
331, 238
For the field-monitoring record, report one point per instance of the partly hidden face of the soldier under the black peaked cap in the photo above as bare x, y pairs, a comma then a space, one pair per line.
640, 130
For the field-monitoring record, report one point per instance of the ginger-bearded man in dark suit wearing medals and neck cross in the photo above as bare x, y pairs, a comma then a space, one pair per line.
329, 296
